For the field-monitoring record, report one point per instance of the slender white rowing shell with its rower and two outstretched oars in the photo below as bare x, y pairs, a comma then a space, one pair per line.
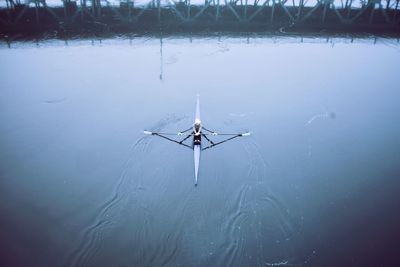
197, 133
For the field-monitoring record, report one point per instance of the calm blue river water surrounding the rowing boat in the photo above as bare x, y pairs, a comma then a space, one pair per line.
315, 185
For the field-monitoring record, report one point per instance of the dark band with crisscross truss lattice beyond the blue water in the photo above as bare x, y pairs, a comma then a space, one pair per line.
103, 16
